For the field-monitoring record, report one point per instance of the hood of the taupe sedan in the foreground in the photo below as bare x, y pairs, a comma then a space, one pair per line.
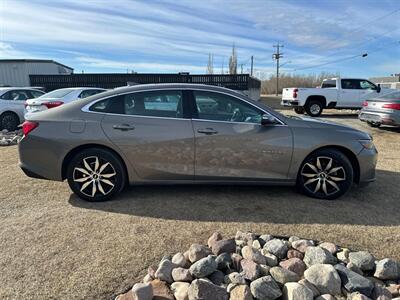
326, 125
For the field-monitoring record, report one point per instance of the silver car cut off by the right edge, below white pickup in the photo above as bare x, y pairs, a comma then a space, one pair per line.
384, 110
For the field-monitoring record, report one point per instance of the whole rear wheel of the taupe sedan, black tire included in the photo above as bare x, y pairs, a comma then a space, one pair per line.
104, 188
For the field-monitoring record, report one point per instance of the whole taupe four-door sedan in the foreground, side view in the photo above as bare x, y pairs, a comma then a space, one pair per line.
188, 133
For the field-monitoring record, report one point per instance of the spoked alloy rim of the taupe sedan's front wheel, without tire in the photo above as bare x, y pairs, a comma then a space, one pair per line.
323, 176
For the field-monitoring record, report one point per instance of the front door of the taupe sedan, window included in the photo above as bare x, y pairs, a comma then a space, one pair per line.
231, 143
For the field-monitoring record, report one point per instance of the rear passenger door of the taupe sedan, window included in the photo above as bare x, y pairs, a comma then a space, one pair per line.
152, 131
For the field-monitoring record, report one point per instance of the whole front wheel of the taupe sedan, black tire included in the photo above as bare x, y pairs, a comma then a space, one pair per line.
315, 179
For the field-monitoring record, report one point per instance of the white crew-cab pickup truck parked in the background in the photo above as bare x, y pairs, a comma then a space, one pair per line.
338, 93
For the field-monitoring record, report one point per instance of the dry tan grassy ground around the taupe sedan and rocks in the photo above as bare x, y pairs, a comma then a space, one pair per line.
55, 246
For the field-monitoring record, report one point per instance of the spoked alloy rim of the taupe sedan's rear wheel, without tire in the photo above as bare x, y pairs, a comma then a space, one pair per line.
95, 176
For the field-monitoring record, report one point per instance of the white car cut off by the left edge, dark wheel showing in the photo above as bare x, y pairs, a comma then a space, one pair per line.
12, 101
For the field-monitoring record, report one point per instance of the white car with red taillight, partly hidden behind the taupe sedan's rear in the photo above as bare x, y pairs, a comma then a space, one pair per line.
59, 97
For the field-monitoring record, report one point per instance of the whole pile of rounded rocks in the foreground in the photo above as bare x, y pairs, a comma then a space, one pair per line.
251, 266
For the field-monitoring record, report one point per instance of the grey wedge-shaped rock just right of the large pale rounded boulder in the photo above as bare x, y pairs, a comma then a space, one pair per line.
354, 282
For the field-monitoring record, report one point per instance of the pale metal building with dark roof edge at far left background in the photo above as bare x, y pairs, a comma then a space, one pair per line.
15, 72
